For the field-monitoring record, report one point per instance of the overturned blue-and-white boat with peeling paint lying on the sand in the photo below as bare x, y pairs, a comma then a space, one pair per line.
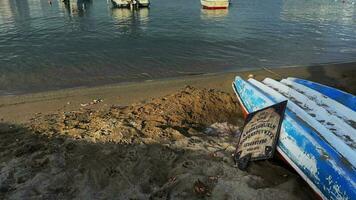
317, 136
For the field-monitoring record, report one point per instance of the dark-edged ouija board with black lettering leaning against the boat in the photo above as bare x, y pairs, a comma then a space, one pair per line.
260, 134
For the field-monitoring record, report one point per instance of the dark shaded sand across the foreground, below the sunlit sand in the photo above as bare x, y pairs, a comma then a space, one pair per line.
34, 166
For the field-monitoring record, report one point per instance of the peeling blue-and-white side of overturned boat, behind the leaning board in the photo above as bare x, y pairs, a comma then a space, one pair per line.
320, 165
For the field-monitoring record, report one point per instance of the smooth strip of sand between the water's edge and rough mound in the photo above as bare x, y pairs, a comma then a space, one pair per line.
21, 108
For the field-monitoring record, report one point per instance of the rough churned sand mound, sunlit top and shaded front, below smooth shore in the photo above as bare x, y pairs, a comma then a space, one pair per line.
175, 147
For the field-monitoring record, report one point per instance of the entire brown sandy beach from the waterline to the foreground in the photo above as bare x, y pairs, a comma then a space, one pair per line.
159, 139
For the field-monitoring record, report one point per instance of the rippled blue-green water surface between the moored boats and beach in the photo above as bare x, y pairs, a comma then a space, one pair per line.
47, 46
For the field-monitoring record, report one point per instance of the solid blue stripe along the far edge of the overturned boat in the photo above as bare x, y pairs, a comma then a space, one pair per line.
345, 98
